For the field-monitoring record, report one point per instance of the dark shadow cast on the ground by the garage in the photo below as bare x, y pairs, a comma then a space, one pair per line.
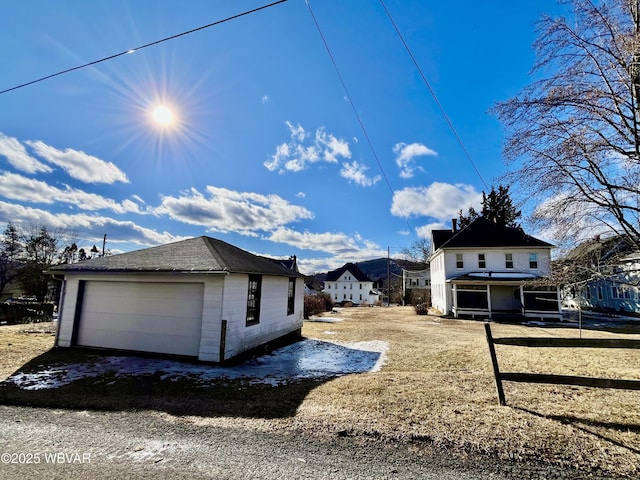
174, 387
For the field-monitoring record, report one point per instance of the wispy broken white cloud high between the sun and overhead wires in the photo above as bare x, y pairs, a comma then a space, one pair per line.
304, 149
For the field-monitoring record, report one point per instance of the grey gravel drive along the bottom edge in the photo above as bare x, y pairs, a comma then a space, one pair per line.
88, 444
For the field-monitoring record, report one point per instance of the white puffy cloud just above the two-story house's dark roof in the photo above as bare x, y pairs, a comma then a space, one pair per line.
441, 201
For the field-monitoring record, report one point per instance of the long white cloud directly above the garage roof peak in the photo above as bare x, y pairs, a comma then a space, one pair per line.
224, 210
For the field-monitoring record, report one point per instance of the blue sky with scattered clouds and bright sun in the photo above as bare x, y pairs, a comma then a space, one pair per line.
266, 151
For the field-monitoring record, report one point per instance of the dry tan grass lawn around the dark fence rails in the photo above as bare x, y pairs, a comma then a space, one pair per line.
437, 391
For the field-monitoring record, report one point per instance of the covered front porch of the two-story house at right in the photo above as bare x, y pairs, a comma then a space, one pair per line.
509, 295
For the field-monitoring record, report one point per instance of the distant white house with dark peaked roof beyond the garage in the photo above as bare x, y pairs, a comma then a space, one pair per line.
350, 284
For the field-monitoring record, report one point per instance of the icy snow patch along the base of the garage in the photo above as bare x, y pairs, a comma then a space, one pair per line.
306, 359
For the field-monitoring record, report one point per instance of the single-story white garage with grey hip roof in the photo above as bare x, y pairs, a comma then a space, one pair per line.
200, 297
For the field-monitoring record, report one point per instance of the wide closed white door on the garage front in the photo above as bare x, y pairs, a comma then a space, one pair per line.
148, 317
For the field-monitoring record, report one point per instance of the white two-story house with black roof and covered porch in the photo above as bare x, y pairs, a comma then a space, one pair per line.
488, 270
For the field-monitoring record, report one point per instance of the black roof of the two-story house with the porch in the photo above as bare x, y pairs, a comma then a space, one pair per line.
485, 234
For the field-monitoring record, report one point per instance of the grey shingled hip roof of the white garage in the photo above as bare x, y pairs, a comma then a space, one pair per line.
195, 255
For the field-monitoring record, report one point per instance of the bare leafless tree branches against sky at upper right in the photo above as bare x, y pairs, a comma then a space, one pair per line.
573, 135
